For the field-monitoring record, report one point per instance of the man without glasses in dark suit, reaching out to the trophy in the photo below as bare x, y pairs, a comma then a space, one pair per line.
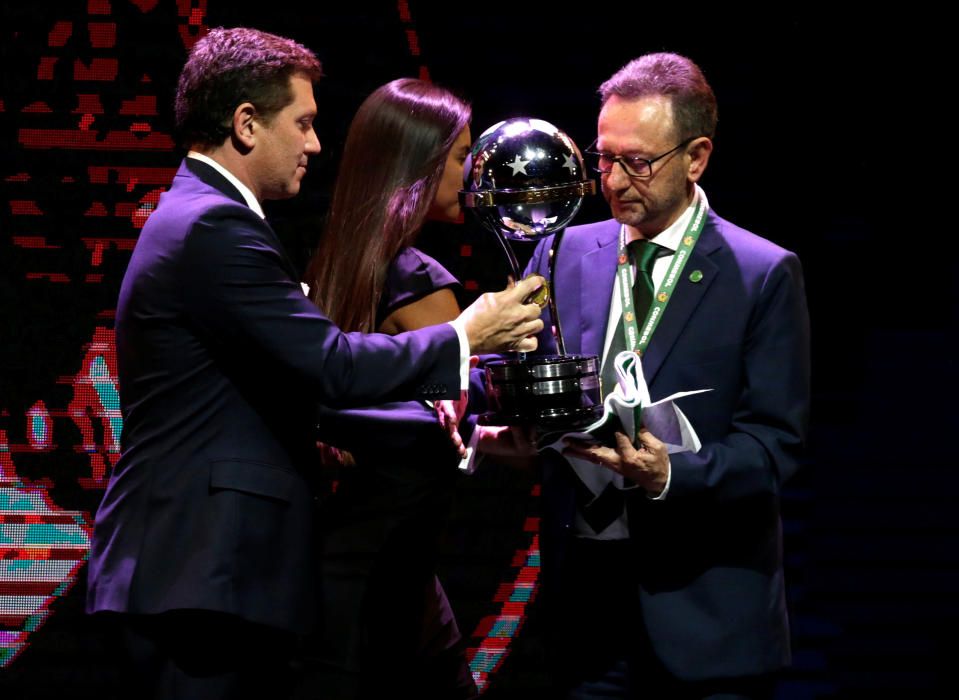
202, 545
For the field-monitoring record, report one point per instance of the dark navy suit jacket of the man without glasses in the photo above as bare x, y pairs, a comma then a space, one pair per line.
221, 360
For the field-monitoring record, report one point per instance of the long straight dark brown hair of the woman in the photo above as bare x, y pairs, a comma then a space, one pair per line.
392, 163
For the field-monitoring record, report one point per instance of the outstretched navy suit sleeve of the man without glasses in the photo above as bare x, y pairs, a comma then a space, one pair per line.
240, 293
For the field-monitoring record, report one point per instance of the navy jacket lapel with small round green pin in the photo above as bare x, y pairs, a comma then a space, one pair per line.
685, 299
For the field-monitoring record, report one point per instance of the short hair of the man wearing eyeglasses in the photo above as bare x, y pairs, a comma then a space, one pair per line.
675, 77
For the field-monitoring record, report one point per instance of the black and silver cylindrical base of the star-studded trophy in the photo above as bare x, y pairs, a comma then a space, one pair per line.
551, 393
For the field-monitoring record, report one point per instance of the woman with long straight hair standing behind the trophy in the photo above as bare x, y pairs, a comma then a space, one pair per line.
385, 622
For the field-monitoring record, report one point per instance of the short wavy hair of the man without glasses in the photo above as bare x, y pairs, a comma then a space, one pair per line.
228, 67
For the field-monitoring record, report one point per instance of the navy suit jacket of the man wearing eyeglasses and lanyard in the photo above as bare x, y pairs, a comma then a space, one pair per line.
710, 554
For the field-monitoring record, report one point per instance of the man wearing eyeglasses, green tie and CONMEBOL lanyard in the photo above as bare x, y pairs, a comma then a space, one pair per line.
663, 572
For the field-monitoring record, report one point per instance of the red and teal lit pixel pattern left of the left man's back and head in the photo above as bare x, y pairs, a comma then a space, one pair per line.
91, 161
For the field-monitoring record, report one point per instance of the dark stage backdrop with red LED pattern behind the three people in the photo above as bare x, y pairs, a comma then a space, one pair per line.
86, 148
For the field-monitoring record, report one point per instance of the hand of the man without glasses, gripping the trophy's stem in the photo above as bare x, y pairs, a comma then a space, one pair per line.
501, 321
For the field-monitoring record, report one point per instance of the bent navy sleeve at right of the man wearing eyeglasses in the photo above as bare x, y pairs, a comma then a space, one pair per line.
768, 428
